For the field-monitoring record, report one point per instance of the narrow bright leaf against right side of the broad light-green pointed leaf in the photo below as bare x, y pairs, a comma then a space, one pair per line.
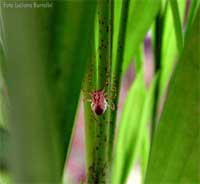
139, 131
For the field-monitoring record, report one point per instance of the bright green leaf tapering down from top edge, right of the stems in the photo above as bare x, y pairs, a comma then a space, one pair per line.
141, 16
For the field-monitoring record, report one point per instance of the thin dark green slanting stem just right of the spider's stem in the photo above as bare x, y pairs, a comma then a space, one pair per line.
116, 78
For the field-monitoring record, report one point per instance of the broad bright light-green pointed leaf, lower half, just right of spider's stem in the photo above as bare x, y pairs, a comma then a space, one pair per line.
128, 125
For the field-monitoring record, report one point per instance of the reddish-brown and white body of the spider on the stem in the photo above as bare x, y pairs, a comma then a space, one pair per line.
99, 103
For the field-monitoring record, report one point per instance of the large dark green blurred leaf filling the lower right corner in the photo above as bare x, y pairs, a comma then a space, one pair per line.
175, 150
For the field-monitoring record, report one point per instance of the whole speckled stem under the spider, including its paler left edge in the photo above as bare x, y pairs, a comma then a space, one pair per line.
97, 126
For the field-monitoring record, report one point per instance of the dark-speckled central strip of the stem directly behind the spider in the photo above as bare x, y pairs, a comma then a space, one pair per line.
101, 168
